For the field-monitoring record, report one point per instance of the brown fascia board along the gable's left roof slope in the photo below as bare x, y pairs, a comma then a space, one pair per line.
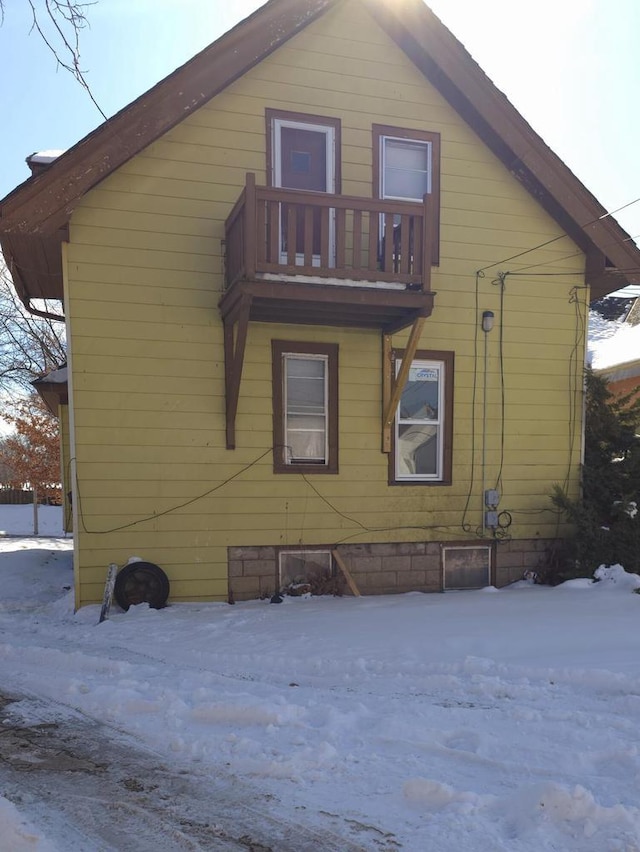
44, 202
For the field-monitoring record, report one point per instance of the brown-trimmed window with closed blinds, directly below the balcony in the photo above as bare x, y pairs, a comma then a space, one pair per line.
305, 407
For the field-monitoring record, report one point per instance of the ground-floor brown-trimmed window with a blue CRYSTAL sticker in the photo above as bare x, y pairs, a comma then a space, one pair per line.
423, 433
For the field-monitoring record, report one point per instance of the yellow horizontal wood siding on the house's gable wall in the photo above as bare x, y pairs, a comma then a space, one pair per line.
144, 271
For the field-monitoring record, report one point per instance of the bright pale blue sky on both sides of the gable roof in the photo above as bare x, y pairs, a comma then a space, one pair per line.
570, 66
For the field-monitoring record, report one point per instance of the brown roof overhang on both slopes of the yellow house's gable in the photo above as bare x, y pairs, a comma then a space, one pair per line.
34, 217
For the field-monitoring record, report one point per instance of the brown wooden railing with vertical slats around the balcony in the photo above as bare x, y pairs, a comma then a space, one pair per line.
280, 233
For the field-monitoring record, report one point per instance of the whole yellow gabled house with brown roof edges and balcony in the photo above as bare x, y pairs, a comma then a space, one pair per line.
326, 295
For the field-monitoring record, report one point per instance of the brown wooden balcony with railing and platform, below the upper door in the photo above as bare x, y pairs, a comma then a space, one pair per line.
324, 259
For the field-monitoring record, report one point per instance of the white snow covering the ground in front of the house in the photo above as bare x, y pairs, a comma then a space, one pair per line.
470, 721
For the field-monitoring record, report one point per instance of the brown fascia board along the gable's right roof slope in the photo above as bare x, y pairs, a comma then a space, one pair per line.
446, 63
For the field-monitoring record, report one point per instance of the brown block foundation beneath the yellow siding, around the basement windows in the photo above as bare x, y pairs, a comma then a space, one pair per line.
382, 569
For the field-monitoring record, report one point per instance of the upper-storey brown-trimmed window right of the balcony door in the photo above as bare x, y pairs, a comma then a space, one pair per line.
406, 166
